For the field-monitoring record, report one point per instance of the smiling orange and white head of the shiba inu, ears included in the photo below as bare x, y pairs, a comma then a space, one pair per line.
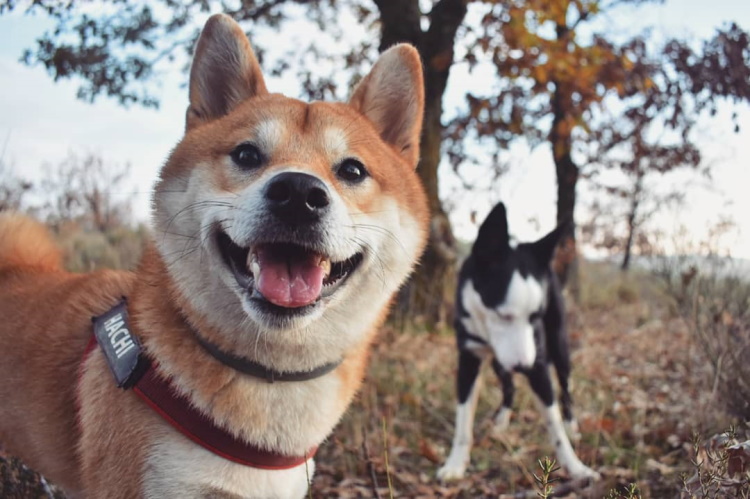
287, 226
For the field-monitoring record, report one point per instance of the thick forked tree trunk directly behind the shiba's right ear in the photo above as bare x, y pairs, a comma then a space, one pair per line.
425, 295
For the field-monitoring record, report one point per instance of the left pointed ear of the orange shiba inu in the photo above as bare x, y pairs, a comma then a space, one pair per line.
224, 73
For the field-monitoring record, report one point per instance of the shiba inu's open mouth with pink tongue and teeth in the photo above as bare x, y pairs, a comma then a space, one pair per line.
284, 275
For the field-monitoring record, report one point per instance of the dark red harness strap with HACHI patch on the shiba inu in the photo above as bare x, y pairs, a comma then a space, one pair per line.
132, 368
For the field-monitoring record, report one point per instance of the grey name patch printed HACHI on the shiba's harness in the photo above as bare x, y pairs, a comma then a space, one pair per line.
120, 347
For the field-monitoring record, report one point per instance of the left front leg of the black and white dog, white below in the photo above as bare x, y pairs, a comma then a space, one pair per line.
468, 393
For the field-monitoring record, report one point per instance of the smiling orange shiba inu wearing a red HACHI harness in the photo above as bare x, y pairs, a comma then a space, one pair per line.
282, 230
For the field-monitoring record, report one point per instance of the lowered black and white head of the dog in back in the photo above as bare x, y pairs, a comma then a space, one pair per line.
508, 288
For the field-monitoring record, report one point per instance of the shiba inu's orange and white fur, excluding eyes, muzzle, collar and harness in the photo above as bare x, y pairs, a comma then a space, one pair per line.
115, 446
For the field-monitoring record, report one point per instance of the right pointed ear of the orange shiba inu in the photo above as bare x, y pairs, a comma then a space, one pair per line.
392, 98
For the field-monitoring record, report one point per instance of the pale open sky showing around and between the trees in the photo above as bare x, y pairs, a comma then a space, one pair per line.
41, 122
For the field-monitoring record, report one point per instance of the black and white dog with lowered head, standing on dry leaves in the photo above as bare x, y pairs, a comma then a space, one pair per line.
510, 312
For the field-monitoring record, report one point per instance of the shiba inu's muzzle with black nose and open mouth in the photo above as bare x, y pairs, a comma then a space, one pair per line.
286, 264
